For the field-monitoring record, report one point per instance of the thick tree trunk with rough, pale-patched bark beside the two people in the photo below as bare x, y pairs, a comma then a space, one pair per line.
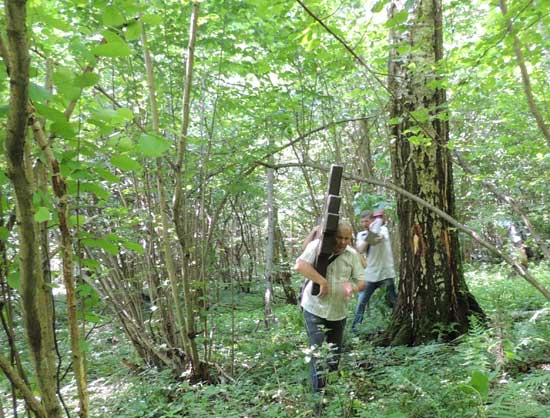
434, 301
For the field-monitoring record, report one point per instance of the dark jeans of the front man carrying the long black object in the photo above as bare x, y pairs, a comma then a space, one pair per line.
320, 330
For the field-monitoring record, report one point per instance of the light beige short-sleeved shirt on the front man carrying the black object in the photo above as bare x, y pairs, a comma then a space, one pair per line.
345, 268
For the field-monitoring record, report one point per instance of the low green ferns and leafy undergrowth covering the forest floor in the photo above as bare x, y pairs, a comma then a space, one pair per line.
498, 370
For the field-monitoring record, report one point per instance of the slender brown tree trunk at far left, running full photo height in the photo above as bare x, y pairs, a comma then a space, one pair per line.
35, 295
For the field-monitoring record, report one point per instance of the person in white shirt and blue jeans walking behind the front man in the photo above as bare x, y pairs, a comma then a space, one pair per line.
374, 241
